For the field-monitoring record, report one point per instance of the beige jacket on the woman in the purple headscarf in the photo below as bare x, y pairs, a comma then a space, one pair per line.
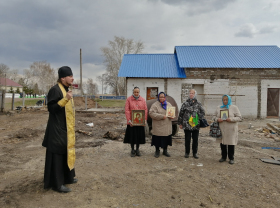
160, 127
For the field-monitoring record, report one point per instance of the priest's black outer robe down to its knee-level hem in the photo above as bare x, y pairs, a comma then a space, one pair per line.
55, 139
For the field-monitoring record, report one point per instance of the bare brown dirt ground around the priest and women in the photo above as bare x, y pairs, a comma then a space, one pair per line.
109, 177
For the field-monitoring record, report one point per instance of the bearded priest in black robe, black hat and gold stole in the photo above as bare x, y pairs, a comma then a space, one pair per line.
59, 137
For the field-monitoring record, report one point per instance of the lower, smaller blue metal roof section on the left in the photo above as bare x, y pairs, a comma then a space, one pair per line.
151, 65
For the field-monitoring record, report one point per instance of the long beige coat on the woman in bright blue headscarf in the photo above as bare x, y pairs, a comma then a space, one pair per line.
229, 129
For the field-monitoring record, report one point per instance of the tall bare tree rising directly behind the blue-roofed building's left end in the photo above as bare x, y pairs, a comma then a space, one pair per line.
113, 58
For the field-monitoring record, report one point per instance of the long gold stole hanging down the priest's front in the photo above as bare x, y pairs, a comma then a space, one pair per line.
70, 124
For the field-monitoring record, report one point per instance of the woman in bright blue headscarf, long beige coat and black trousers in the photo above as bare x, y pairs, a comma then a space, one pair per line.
229, 128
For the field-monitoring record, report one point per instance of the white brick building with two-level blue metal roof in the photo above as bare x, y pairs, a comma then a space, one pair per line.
251, 74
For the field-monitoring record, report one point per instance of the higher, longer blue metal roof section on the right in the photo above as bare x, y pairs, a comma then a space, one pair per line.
228, 56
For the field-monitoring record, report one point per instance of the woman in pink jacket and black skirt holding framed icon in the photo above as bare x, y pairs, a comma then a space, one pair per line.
135, 135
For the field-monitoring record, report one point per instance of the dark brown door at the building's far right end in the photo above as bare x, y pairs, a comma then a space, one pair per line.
273, 102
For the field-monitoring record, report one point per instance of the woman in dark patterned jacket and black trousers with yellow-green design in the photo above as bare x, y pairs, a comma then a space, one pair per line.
190, 114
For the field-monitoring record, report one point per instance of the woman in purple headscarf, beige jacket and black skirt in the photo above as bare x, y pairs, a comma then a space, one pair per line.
161, 125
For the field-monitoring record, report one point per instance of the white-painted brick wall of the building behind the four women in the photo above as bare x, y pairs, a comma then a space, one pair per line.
247, 104
